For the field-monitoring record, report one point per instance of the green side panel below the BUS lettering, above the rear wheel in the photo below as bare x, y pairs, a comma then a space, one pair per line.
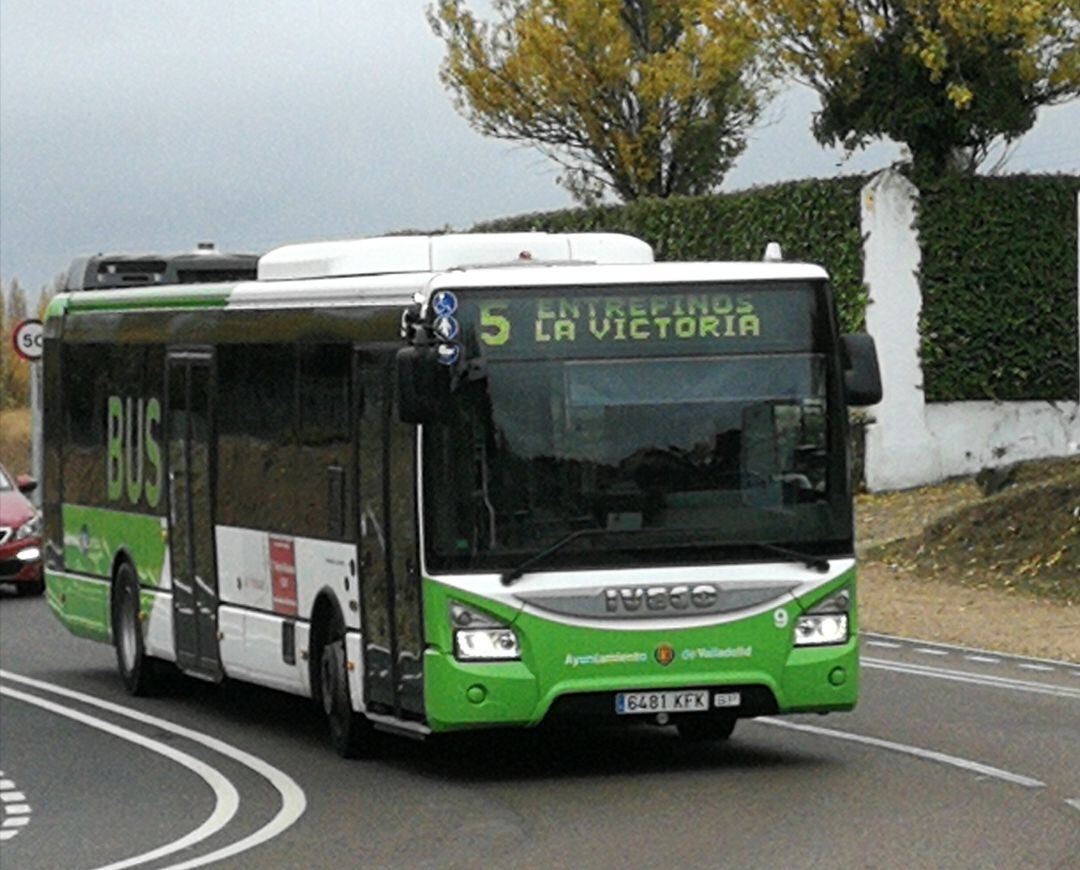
94, 536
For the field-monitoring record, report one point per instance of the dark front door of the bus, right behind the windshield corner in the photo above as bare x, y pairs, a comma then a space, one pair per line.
387, 542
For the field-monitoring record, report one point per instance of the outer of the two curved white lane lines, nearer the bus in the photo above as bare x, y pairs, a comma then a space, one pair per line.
293, 800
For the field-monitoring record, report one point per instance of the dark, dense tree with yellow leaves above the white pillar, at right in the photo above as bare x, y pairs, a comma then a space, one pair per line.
949, 78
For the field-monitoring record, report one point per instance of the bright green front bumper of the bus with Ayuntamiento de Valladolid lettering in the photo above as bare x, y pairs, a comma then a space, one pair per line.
560, 660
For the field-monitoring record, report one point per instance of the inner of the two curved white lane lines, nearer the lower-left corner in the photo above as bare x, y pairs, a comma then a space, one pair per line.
226, 799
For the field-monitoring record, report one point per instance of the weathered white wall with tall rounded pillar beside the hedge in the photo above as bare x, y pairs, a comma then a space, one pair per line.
913, 442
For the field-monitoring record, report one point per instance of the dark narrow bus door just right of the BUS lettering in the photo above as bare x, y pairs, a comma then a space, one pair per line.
191, 513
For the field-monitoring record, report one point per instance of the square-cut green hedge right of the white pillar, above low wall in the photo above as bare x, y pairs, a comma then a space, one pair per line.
1000, 289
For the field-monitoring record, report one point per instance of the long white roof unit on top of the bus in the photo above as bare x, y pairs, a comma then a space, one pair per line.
398, 254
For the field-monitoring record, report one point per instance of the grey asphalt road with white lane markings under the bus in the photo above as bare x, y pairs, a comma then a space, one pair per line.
954, 759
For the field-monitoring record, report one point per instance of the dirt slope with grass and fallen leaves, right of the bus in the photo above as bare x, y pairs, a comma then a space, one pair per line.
997, 572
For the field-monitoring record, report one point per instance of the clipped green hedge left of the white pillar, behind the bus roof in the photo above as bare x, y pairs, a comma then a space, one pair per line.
815, 222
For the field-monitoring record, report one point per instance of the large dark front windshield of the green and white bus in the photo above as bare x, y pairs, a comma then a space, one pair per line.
676, 457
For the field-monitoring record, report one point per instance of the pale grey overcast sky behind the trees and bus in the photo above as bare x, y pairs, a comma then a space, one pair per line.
154, 125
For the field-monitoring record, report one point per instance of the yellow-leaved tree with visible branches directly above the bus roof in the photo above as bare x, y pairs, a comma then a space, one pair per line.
633, 98
